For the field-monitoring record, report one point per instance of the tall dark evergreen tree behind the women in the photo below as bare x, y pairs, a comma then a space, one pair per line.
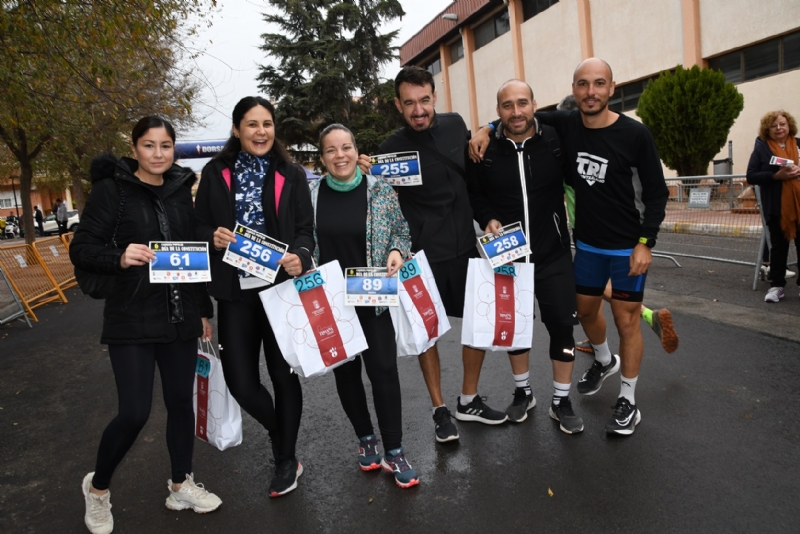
324, 66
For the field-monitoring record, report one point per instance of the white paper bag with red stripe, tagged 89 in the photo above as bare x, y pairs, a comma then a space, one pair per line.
420, 319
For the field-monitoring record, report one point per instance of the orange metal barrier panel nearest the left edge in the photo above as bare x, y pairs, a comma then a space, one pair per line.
29, 276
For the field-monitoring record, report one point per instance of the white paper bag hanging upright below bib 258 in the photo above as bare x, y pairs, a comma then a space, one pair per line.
498, 306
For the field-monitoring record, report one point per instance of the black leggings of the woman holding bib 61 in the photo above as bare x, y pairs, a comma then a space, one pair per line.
134, 369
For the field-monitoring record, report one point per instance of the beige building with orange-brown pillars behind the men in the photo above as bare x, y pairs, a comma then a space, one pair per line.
473, 46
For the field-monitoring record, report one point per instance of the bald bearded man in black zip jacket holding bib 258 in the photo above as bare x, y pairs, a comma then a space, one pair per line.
522, 179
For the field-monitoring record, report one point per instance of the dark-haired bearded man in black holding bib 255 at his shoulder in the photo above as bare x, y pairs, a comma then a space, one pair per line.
440, 220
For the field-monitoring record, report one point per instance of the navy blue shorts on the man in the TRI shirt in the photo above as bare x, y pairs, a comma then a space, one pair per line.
594, 267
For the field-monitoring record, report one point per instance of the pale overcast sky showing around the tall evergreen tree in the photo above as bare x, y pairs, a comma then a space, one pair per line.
229, 65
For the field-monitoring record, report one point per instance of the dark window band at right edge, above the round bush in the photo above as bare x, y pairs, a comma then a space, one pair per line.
759, 60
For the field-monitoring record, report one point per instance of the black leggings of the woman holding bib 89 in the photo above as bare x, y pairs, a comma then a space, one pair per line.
380, 359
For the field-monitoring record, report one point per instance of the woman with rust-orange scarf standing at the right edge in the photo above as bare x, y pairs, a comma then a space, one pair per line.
780, 191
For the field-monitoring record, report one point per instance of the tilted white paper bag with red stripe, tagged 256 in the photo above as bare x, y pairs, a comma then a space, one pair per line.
315, 331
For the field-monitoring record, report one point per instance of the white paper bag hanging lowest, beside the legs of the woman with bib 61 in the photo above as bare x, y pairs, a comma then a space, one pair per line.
218, 417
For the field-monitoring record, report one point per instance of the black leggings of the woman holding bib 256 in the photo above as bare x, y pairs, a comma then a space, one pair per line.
243, 329
